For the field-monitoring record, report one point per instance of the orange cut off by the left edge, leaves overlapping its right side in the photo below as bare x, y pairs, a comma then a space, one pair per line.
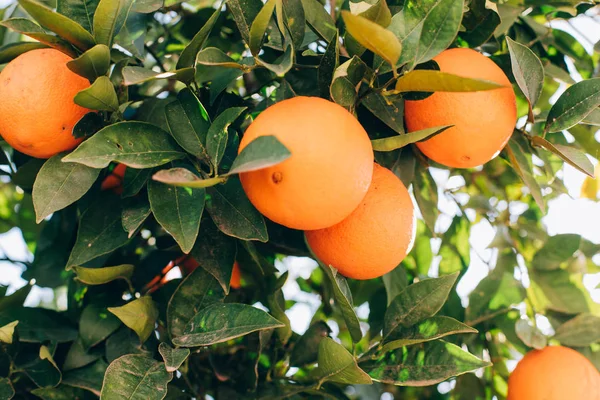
37, 112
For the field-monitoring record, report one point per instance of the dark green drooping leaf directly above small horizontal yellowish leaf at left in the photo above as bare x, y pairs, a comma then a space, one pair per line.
100, 232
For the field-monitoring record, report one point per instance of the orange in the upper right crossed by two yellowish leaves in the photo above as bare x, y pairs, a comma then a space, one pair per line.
483, 121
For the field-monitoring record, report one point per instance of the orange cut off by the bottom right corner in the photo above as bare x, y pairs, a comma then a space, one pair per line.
554, 373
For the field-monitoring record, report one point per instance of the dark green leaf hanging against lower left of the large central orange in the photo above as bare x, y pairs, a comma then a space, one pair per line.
233, 213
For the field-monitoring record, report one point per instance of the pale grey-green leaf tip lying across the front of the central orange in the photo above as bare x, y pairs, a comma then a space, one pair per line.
262, 152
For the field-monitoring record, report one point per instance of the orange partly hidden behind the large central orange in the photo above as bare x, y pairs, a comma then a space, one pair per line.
376, 237
